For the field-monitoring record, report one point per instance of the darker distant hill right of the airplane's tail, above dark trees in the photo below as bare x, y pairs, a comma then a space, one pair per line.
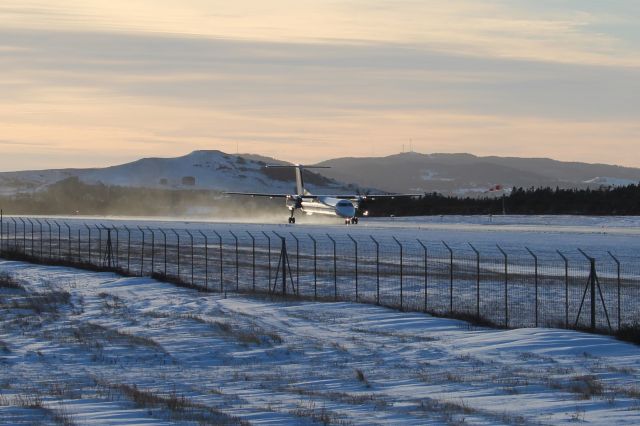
464, 174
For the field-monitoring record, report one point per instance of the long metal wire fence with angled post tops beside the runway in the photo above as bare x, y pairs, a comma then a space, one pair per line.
510, 289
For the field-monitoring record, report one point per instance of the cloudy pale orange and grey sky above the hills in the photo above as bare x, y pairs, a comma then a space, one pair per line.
88, 83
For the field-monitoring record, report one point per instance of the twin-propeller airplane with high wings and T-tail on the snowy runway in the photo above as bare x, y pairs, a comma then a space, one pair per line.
343, 206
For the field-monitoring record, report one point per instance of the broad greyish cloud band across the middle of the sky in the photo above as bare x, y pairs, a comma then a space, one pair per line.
311, 79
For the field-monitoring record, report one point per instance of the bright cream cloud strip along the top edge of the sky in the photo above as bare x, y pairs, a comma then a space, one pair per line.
571, 31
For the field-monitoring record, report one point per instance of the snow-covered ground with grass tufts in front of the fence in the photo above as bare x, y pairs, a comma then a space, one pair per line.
100, 349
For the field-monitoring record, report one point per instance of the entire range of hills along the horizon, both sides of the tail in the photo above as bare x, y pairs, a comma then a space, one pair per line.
455, 174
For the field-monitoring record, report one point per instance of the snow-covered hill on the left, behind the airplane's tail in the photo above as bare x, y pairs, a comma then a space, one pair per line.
212, 170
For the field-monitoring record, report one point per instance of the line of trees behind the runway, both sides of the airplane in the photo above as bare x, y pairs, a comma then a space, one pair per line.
72, 196
